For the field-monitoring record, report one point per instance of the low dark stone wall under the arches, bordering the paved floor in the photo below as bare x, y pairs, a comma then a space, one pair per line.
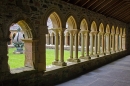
58, 75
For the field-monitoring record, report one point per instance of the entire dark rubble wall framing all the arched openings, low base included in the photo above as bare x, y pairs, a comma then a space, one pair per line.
35, 14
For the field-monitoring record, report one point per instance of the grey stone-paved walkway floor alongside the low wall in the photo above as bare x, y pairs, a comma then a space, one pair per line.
116, 73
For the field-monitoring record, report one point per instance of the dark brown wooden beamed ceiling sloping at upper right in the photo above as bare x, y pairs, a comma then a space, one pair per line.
118, 9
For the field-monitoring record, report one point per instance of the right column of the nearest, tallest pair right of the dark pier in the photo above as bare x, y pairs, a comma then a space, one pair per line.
61, 61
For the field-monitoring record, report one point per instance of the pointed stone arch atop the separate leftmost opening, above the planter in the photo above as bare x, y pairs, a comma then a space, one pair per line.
25, 24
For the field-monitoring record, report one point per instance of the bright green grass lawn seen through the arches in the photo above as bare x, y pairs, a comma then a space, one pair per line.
17, 60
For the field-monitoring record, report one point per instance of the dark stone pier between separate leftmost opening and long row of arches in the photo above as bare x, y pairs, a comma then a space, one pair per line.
40, 64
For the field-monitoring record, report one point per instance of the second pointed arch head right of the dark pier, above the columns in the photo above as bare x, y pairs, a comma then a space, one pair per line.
71, 23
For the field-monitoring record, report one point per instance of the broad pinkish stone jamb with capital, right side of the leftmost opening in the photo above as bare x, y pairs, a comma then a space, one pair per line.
30, 52
